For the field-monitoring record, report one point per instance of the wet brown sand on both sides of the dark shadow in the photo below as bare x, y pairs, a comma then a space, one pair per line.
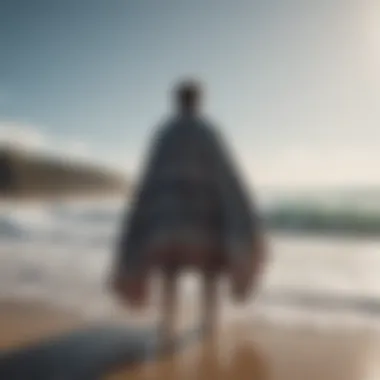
241, 350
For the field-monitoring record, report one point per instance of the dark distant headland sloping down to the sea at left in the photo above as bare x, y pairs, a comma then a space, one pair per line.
27, 175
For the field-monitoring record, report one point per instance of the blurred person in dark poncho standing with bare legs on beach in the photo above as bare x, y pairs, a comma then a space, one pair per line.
190, 211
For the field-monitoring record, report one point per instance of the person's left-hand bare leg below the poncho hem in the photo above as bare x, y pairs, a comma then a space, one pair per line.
169, 306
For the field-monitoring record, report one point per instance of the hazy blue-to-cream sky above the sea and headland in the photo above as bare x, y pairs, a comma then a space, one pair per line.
295, 85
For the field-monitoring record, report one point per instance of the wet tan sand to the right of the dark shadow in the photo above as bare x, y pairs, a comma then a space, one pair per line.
267, 354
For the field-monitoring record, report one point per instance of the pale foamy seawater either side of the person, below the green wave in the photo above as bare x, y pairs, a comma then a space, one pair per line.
61, 253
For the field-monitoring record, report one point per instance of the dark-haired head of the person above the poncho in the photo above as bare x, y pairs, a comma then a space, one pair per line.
188, 96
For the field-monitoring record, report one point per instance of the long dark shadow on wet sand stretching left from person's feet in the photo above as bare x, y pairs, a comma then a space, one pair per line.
87, 354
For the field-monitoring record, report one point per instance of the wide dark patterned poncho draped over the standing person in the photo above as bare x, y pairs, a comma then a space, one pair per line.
189, 197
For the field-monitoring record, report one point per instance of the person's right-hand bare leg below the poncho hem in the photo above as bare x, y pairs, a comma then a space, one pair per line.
209, 306
